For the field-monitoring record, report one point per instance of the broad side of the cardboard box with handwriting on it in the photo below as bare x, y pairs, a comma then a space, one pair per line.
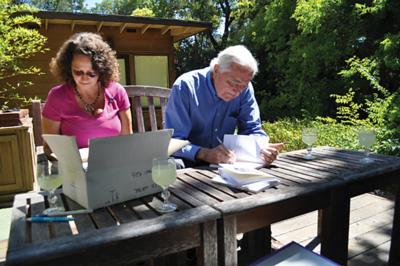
119, 168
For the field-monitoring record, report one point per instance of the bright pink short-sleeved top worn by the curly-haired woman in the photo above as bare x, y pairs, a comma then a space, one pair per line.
62, 106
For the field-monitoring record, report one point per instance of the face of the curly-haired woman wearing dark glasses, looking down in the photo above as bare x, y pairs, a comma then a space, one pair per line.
82, 71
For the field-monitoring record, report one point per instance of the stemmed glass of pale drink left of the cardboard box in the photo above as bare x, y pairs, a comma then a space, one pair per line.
49, 178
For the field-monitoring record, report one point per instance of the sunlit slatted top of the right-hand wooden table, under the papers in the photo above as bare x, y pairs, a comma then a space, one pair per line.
297, 176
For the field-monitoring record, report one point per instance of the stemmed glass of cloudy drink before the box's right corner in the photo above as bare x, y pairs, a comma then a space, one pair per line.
163, 172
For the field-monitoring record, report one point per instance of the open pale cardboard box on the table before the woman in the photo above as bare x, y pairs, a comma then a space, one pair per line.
118, 169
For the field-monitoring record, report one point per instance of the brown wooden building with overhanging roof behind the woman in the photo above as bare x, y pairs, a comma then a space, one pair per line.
144, 45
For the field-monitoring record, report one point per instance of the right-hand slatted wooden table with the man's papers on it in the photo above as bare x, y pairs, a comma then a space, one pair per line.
326, 183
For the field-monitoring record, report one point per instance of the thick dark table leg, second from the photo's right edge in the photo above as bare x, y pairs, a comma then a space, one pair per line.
334, 226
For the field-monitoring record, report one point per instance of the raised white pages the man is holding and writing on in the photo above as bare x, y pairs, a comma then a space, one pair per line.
247, 149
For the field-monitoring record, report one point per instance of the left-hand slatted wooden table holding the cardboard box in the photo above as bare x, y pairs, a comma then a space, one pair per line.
121, 234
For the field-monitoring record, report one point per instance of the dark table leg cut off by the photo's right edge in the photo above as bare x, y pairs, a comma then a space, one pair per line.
394, 255
